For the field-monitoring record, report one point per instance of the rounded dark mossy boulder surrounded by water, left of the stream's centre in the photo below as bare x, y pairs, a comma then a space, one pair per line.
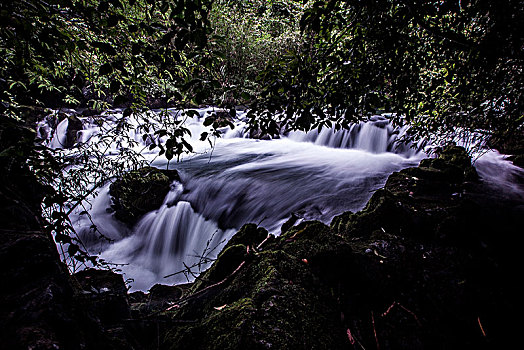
140, 191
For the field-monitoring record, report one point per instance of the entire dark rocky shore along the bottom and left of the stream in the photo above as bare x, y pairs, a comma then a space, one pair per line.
429, 263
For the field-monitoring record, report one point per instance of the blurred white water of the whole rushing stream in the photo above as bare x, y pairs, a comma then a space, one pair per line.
314, 176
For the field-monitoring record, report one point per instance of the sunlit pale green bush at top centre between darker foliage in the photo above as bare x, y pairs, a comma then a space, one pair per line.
247, 37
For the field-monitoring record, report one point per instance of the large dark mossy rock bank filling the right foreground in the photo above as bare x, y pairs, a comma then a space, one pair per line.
420, 267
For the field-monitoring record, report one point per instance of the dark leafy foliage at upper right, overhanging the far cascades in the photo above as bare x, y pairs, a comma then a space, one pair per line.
440, 66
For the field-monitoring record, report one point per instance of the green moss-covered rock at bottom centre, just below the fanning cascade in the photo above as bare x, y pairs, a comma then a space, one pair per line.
276, 300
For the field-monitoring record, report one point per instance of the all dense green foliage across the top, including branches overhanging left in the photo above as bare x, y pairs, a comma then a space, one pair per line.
440, 66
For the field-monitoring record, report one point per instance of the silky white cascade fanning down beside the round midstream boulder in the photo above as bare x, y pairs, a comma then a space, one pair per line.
167, 241
